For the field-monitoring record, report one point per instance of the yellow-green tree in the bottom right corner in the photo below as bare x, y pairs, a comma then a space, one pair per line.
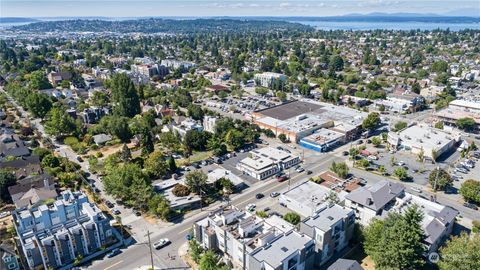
461, 252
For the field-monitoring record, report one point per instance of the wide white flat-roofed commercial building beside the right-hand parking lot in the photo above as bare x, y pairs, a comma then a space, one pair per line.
422, 138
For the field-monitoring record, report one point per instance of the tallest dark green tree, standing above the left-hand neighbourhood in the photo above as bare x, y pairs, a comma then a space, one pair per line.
124, 96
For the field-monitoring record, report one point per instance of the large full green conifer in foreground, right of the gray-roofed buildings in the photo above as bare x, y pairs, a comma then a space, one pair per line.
396, 242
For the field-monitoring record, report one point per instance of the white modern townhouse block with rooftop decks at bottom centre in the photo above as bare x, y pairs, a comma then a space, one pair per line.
252, 243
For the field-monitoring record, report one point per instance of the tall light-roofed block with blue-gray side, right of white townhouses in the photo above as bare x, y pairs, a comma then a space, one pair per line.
331, 227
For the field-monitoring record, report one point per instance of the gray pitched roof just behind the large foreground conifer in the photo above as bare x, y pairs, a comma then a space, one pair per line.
376, 196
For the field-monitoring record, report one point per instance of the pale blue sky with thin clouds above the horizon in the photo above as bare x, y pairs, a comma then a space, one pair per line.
202, 8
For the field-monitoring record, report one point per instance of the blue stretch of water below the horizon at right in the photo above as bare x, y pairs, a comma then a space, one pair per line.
324, 25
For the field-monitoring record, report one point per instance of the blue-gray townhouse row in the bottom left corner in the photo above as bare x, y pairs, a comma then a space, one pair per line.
53, 235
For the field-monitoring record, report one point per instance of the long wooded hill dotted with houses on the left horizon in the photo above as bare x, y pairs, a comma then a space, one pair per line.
163, 26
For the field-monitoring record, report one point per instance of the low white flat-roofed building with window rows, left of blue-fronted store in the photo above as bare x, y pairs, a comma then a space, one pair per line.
266, 162
